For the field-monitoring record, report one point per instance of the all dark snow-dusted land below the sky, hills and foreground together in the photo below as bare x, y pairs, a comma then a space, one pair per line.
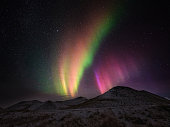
119, 107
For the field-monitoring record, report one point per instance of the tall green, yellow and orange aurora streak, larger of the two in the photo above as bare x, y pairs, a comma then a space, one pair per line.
79, 49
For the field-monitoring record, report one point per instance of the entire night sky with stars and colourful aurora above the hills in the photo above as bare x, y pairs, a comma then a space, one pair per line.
61, 49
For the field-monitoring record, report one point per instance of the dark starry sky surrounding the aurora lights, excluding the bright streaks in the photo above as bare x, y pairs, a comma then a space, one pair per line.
30, 29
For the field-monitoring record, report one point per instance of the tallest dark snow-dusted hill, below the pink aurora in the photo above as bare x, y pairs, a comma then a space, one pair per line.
123, 96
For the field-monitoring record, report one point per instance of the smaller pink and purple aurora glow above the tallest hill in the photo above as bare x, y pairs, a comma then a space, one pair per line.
112, 71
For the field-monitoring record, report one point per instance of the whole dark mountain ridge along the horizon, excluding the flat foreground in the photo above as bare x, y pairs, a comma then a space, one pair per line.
118, 96
